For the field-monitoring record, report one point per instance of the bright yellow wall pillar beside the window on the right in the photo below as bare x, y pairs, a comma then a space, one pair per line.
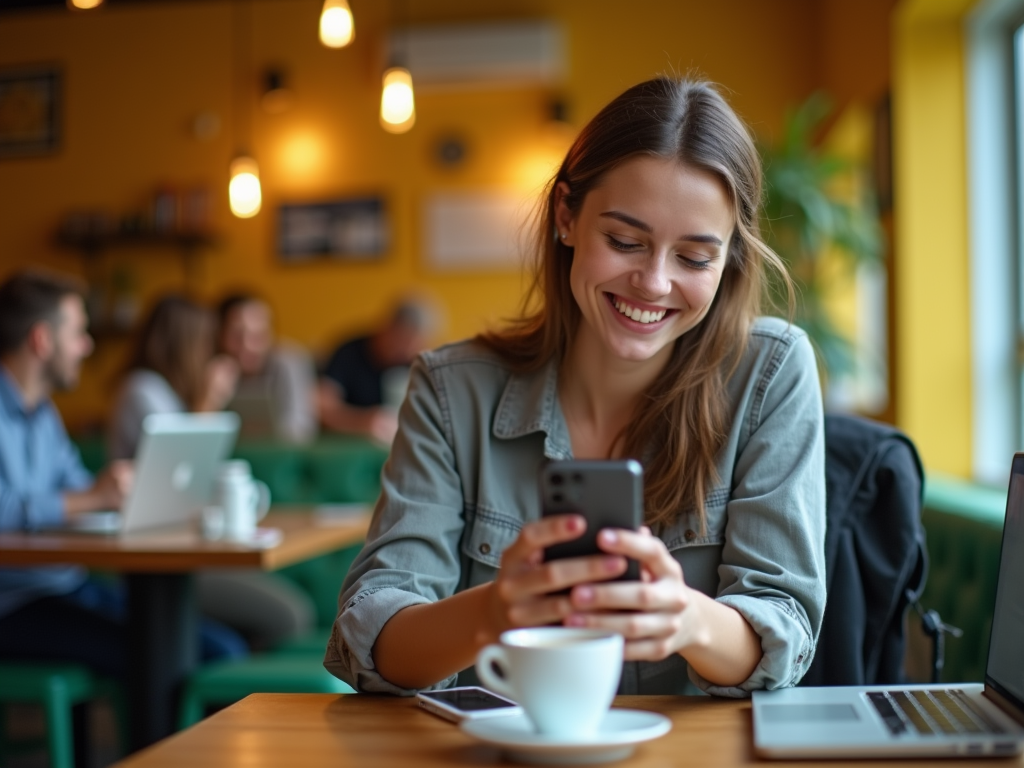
932, 278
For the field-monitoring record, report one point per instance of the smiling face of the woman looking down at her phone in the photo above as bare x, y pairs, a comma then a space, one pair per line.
651, 244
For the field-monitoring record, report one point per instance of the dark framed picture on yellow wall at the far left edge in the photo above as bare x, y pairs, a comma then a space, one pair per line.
30, 111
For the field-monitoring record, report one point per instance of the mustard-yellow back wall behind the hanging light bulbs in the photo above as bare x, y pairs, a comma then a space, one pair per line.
138, 74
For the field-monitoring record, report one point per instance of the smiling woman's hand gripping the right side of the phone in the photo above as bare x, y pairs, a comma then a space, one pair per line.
656, 616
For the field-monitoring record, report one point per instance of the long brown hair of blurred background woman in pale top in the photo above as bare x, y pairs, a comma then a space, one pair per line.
178, 343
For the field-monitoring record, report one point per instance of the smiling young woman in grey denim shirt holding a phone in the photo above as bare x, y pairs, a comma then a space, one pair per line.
642, 339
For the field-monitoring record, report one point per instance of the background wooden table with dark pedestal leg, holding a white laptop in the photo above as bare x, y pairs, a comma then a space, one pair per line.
163, 620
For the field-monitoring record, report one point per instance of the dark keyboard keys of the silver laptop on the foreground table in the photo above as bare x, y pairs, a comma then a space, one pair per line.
931, 713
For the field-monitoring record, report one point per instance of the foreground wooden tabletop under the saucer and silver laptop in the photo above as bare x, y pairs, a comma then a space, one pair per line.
312, 731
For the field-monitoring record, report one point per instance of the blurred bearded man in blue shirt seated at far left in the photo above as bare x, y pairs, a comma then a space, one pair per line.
57, 613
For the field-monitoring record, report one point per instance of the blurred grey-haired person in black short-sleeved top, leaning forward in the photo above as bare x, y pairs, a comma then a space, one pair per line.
366, 378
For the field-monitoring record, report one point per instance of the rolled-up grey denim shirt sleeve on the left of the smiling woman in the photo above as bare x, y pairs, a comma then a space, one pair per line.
411, 556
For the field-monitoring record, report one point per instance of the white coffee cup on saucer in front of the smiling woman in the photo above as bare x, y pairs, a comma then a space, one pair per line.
564, 678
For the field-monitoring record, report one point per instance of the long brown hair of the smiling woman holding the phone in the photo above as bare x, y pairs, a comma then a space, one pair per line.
684, 422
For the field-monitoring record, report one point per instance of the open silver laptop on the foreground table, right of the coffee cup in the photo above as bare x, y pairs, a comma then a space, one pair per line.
971, 719
